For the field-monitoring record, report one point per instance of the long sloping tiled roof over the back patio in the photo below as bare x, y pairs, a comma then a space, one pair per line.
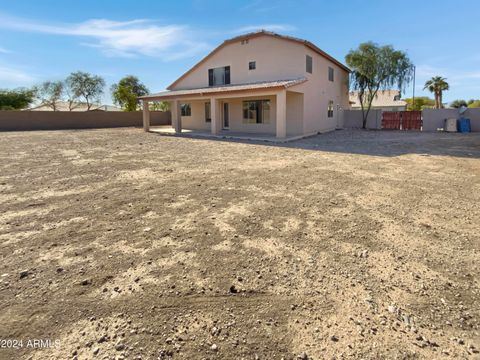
224, 89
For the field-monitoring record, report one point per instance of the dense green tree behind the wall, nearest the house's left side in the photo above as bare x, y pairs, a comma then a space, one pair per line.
126, 92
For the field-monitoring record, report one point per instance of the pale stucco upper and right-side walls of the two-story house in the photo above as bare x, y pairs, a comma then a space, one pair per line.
282, 59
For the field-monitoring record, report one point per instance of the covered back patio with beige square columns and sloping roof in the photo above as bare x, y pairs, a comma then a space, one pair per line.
257, 111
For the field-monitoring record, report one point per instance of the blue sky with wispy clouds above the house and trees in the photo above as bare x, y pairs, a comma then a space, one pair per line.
159, 40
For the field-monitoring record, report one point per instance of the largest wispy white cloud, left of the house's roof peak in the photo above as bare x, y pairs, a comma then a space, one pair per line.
120, 38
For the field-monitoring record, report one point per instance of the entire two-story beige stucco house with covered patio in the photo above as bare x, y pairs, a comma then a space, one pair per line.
261, 83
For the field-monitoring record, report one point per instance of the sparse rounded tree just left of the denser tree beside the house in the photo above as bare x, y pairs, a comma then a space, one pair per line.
87, 86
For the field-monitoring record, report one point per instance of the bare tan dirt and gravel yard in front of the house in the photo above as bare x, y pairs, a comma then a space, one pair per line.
127, 245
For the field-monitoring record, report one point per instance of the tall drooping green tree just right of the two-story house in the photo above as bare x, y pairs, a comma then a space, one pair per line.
377, 68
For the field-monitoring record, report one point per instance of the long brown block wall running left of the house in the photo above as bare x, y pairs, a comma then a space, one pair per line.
56, 120
